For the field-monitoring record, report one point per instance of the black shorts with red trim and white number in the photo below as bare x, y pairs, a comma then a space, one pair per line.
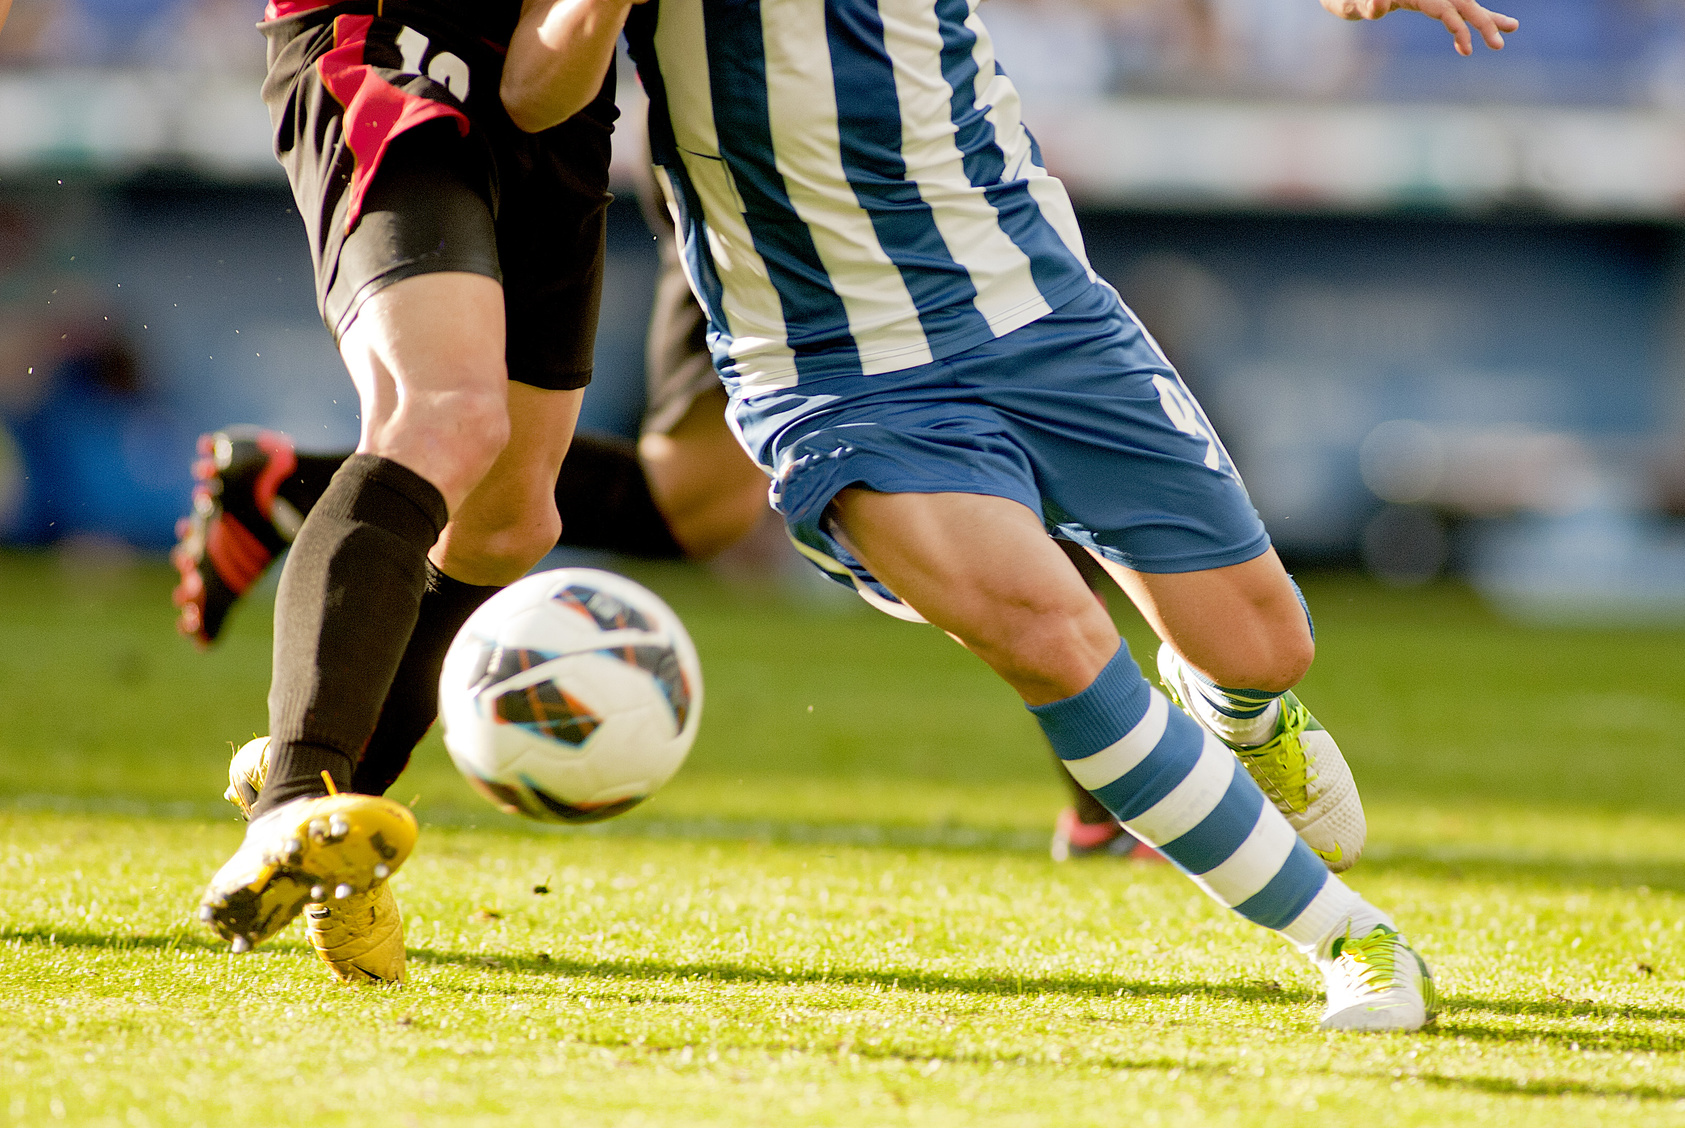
405, 163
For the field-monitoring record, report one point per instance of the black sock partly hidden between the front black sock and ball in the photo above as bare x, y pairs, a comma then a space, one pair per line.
412, 704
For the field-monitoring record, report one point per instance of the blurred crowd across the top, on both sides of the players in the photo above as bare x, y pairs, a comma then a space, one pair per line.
1571, 51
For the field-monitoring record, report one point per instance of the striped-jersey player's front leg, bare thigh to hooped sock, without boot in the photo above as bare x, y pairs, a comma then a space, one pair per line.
985, 571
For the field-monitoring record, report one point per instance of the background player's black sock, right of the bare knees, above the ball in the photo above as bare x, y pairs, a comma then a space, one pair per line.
604, 502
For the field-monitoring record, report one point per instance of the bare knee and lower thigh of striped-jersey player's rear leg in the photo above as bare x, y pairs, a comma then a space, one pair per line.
1241, 626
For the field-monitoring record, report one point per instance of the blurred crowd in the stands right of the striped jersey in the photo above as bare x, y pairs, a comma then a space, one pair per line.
1570, 51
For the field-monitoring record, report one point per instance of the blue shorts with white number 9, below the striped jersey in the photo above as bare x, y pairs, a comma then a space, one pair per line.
1078, 417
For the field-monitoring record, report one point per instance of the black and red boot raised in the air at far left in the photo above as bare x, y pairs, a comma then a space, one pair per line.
240, 524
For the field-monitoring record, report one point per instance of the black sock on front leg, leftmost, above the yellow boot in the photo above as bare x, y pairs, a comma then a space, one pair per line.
343, 618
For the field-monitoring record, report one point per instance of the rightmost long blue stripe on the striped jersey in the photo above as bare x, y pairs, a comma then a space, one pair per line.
1052, 266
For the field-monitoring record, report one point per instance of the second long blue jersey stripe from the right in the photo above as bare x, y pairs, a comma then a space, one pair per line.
870, 134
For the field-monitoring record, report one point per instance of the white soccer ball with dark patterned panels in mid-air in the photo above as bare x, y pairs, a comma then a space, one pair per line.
570, 696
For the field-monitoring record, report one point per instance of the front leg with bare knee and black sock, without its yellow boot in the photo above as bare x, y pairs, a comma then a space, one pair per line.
427, 360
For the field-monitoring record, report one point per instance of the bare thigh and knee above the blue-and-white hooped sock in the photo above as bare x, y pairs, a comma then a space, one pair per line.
985, 571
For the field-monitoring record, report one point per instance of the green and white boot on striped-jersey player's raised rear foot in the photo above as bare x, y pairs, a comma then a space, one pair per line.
1300, 770
